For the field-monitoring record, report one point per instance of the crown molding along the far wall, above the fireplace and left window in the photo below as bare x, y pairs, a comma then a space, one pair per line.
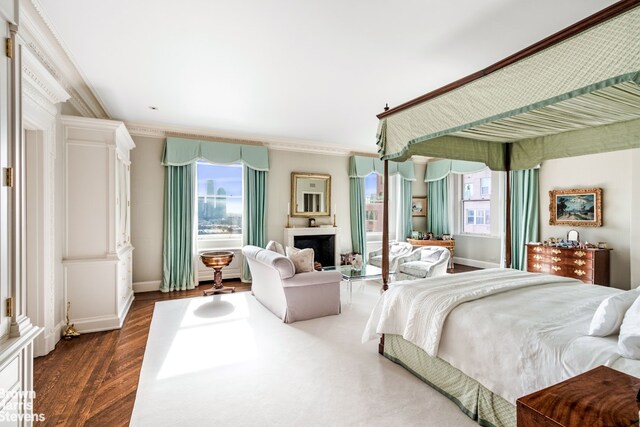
161, 131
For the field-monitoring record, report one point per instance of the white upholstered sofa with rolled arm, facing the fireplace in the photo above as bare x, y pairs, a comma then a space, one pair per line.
292, 297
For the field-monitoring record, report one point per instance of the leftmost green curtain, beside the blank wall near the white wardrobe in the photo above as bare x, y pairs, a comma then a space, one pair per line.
178, 242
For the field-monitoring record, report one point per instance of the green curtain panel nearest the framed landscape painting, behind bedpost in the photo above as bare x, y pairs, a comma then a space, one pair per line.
525, 214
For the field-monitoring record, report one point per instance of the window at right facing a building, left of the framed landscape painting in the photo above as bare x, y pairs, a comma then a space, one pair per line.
476, 202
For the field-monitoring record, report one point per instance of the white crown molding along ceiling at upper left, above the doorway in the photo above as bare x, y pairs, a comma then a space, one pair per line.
41, 39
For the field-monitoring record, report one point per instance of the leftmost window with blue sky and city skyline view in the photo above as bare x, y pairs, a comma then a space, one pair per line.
219, 190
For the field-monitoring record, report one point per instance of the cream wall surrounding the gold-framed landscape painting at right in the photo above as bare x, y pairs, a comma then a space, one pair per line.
618, 176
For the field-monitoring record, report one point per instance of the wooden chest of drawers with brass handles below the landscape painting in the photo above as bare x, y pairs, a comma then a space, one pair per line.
588, 265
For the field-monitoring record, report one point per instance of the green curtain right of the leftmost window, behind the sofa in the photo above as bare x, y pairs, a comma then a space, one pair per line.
255, 202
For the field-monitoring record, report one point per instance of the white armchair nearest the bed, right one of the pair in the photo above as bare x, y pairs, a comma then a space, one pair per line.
429, 261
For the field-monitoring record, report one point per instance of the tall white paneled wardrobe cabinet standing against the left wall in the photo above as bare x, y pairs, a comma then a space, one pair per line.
97, 253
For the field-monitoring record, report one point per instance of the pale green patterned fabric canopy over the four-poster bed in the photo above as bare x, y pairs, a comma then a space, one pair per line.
561, 101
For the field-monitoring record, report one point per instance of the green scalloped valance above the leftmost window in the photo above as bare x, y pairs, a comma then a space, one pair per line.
181, 151
